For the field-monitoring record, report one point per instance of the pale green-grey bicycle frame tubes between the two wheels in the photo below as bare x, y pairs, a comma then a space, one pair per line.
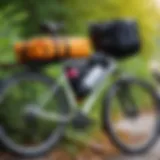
88, 102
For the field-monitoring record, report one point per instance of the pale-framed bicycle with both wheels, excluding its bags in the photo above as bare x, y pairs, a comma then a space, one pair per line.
39, 120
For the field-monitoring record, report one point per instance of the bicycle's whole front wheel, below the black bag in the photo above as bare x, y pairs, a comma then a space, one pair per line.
131, 115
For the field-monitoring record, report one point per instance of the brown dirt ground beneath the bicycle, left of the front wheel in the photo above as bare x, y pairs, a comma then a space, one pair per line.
98, 149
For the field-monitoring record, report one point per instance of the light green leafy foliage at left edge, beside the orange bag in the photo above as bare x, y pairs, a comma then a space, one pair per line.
9, 32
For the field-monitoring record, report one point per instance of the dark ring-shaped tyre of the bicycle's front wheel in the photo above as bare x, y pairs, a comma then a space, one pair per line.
106, 121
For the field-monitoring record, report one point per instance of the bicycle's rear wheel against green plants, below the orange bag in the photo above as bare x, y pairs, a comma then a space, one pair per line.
24, 134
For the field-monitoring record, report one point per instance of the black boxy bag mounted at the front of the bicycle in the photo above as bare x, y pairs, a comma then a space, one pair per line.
119, 38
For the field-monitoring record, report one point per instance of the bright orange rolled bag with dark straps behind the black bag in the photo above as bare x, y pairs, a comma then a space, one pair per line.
50, 49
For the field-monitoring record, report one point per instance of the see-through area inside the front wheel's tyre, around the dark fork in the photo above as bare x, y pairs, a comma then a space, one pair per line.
136, 132
